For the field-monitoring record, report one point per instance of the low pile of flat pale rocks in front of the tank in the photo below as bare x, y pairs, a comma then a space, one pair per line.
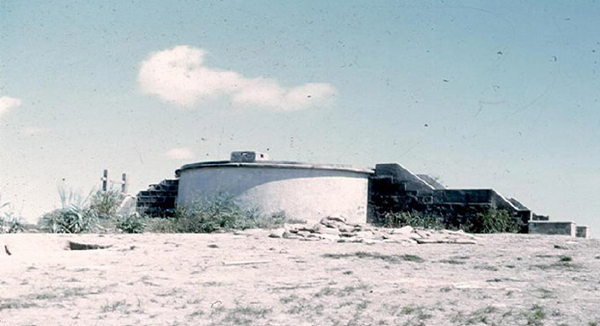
337, 229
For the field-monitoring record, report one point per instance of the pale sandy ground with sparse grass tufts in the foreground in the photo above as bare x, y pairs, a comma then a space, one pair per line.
227, 279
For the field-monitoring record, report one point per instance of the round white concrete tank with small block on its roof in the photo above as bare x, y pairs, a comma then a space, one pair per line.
303, 191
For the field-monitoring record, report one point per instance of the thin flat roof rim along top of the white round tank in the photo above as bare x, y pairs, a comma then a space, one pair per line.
275, 164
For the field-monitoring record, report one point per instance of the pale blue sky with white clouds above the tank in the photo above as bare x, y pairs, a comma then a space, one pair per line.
481, 94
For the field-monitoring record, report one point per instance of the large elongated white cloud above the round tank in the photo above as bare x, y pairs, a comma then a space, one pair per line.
179, 75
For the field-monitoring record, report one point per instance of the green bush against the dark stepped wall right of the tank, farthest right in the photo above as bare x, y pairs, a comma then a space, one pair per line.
492, 221
